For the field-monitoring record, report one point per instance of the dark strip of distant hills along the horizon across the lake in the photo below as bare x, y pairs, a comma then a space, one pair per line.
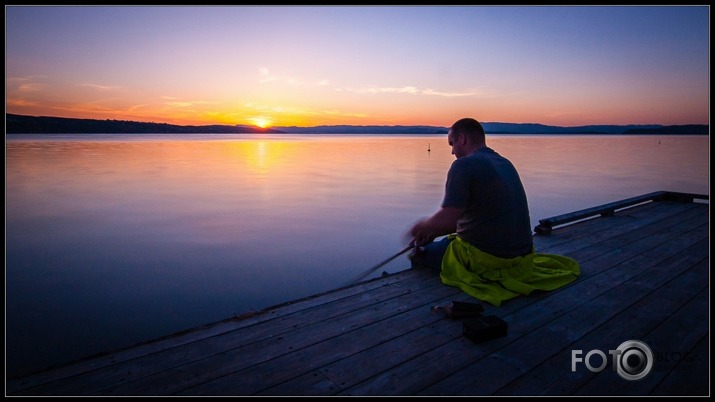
20, 124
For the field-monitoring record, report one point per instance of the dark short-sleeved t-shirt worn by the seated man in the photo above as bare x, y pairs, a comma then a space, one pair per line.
496, 219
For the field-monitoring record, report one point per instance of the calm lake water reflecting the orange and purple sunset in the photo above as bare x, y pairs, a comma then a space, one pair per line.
116, 239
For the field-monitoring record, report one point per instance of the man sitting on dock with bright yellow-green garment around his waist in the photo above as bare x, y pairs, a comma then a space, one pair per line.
488, 249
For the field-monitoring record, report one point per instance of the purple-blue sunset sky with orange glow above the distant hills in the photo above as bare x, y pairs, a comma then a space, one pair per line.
360, 65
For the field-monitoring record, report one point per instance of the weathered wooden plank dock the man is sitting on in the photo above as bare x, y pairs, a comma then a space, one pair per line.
645, 272
